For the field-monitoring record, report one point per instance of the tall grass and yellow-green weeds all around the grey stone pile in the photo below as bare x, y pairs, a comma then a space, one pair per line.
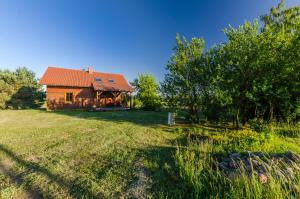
198, 165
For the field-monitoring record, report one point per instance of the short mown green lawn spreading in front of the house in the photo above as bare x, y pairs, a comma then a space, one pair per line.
77, 154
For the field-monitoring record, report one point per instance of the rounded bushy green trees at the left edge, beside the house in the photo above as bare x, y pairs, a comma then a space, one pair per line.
19, 89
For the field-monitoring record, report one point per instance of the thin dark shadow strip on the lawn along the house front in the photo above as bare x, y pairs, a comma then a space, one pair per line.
145, 118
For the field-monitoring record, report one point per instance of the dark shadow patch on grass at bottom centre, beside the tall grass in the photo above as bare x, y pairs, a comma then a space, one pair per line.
160, 163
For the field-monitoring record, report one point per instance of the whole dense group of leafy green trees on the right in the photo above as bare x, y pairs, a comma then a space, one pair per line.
255, 74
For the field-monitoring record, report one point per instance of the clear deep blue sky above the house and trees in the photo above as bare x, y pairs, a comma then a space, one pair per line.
124, 36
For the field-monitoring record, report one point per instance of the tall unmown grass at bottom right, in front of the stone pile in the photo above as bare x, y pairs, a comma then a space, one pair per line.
198, 169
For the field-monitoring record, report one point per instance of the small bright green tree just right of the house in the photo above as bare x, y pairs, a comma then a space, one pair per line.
147, 91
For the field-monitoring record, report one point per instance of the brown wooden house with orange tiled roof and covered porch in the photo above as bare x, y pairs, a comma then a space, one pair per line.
75, 89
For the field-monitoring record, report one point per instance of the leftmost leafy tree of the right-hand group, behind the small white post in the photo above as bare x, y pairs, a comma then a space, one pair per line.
185, 82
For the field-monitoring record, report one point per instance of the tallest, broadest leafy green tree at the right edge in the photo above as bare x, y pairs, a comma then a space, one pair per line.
260, 66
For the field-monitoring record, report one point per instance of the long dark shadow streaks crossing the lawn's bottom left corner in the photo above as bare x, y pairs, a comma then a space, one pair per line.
72, 187
